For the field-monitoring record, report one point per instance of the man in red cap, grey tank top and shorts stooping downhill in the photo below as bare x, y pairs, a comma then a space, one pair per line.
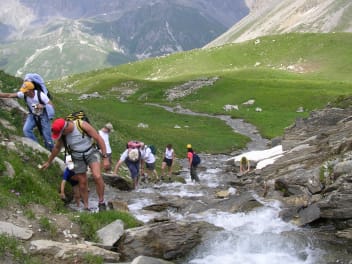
84, 154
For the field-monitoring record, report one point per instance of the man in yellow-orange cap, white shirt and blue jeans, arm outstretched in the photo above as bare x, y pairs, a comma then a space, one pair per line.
37, 116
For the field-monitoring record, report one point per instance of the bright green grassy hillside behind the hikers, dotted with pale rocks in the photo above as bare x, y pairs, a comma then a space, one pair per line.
281, 73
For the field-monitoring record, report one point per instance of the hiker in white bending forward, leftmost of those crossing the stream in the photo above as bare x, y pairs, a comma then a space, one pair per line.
132, 158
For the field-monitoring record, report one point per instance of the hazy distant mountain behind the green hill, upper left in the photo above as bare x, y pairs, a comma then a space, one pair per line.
60, 37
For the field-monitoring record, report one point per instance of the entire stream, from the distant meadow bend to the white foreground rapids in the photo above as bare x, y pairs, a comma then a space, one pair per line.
258, 236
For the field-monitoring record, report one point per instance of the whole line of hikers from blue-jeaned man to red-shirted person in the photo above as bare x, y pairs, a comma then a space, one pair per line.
80, 138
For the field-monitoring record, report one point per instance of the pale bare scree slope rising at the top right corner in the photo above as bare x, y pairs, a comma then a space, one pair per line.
268, 17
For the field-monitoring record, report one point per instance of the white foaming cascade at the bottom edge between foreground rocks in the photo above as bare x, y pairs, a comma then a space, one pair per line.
258, 237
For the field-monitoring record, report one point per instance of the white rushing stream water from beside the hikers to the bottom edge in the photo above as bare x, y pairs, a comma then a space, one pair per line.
258, 236
